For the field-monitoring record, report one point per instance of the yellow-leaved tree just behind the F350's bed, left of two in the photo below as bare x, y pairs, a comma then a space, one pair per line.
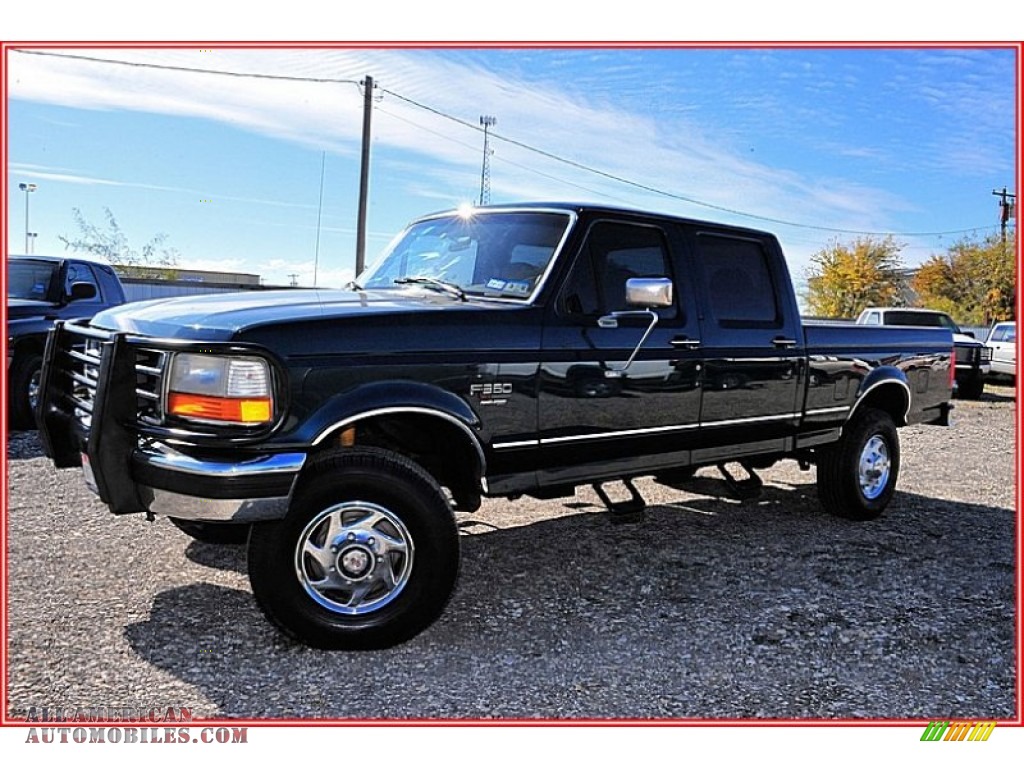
844, 279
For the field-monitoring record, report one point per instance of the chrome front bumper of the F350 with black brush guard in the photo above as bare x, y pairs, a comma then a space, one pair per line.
90, 413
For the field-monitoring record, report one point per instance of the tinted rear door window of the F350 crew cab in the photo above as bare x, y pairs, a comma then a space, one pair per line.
740, 286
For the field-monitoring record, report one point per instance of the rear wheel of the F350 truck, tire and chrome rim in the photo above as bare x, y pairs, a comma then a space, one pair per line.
858, 477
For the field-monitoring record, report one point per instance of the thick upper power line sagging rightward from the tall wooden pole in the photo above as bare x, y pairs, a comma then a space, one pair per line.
509, 141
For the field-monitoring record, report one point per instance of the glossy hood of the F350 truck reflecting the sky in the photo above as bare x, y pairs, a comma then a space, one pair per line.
220, 317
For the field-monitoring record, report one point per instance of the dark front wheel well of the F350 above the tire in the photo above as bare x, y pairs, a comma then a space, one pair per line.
442, 448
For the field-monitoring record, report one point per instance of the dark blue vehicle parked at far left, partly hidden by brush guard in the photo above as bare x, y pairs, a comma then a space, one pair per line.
40, 291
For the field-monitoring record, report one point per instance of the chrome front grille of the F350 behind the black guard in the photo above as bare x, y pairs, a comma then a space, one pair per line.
83, 356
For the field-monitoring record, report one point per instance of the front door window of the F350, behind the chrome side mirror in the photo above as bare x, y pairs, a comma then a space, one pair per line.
613, 254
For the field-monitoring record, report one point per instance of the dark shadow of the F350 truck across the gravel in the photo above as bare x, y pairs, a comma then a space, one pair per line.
705, 609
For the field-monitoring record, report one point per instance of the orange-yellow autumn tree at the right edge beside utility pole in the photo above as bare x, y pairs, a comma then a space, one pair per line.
975, 281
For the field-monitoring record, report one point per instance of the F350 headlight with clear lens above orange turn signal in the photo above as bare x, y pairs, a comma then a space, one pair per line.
221, 390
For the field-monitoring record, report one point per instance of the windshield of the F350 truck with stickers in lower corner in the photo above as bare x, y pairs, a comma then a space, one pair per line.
496, 254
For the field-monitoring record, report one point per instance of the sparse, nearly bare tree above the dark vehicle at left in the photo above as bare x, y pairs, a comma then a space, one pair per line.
112, 244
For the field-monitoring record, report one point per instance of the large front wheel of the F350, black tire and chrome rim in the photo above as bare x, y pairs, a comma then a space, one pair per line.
367, 557
